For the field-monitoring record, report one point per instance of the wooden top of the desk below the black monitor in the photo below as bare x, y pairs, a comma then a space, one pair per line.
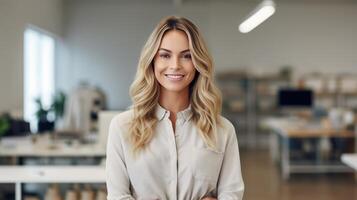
301, 128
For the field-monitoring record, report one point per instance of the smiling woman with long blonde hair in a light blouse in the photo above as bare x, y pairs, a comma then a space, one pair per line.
173, 143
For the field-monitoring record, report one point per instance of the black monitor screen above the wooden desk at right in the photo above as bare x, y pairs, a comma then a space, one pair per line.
295, 98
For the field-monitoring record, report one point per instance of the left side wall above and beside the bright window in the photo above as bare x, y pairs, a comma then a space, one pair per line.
14, 16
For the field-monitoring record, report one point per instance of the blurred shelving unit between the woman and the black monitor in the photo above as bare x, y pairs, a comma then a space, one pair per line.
247, 98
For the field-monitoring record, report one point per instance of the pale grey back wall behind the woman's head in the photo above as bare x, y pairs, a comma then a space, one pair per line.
103, 39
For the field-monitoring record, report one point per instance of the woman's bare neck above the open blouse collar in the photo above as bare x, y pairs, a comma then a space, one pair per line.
174, 101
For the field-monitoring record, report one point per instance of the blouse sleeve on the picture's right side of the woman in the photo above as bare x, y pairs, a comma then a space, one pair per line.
230, 183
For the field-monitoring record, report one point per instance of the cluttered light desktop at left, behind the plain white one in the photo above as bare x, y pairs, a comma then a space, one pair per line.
44, 146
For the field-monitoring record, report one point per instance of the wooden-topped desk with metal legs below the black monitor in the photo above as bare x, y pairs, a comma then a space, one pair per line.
284, 129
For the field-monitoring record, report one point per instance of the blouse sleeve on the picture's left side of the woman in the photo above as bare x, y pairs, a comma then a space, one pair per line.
117, 179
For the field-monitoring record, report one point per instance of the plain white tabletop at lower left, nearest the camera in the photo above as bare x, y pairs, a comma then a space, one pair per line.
52, 174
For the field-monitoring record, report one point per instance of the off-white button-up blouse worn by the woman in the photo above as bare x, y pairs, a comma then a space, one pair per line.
174, 166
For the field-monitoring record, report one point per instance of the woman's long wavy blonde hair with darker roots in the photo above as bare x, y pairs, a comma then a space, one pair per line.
205, 98
